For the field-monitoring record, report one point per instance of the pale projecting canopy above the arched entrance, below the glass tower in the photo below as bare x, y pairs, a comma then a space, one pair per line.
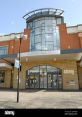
48, 56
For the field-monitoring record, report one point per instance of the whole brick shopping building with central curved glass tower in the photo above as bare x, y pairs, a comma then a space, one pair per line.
50, 53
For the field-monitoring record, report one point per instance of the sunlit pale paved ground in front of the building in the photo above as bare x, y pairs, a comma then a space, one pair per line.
40, 99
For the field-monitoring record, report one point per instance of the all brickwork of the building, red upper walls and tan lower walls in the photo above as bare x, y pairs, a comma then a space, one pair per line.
67, 41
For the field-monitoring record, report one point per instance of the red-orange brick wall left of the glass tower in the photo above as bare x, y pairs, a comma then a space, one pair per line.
13, 45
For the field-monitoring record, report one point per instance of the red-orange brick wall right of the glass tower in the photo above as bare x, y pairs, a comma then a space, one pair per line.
68, 41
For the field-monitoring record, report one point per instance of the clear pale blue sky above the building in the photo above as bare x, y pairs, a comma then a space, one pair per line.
11, 12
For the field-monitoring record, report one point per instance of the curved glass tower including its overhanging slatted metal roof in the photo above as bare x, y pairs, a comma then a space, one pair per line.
44, 29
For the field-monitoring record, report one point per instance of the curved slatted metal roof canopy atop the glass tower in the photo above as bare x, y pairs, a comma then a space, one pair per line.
42, 12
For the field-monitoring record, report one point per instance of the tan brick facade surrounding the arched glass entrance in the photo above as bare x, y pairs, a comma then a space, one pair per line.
63, 65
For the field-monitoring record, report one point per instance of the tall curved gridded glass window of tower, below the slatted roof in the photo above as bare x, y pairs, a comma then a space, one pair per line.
45, 34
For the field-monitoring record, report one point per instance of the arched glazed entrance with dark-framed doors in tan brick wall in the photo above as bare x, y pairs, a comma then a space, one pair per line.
44, 77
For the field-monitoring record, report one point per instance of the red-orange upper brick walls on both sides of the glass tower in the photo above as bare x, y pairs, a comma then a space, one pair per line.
67, 41
